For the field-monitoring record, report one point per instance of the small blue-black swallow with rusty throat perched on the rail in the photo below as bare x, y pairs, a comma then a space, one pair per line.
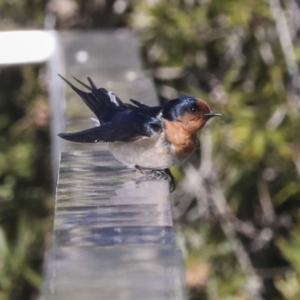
149, 139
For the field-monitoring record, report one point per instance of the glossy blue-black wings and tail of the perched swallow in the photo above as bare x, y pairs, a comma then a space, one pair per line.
119, 121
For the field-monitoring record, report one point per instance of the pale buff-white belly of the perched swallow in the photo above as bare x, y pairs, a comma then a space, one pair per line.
153, 153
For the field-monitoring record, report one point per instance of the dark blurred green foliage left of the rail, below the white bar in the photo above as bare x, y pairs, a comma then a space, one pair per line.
25, 181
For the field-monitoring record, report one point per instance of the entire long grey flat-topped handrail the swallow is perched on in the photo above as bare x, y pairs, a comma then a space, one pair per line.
113, 235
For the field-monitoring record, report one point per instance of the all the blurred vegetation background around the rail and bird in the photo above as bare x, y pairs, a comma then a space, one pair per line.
237, 203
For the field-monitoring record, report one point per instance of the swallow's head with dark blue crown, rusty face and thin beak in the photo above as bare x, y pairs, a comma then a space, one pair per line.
192, 113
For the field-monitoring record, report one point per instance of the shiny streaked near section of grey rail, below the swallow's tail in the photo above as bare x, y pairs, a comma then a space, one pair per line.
113, 235
